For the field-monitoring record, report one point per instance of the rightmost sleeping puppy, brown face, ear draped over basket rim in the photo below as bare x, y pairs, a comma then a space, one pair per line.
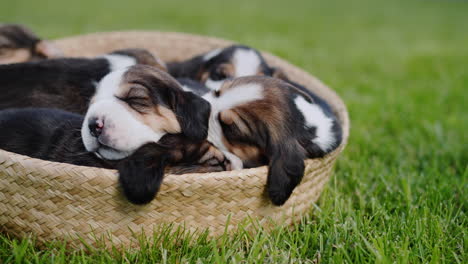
262, 120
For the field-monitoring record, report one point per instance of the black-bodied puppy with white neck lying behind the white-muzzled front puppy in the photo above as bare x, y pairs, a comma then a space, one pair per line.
65, 83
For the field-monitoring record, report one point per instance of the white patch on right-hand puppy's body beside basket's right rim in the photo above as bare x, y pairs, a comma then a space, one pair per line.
315, 117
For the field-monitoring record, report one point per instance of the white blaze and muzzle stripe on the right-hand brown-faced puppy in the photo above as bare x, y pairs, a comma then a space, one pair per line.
231, 98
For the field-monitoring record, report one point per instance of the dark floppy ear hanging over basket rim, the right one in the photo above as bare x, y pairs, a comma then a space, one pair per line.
285, 171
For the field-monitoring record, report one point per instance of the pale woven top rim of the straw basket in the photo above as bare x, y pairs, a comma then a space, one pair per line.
338, 106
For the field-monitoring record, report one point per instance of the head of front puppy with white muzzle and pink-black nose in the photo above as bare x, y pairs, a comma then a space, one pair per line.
139, 105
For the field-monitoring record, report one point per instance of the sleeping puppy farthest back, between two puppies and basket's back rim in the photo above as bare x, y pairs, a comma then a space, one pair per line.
212, 68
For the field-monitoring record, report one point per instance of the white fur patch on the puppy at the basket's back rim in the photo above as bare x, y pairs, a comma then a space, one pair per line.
246, 62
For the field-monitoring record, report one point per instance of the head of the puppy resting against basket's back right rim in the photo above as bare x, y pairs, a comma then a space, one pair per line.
233, 62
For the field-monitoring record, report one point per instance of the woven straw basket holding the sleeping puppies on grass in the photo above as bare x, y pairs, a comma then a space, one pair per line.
56, 201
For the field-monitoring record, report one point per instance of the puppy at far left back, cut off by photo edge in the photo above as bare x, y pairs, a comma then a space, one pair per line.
19, 44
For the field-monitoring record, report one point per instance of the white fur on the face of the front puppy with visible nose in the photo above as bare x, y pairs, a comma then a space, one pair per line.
122, 131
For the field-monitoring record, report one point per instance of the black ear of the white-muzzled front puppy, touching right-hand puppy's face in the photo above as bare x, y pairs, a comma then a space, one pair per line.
193, 113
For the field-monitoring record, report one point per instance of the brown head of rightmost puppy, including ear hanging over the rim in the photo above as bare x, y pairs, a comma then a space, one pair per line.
257, 125
